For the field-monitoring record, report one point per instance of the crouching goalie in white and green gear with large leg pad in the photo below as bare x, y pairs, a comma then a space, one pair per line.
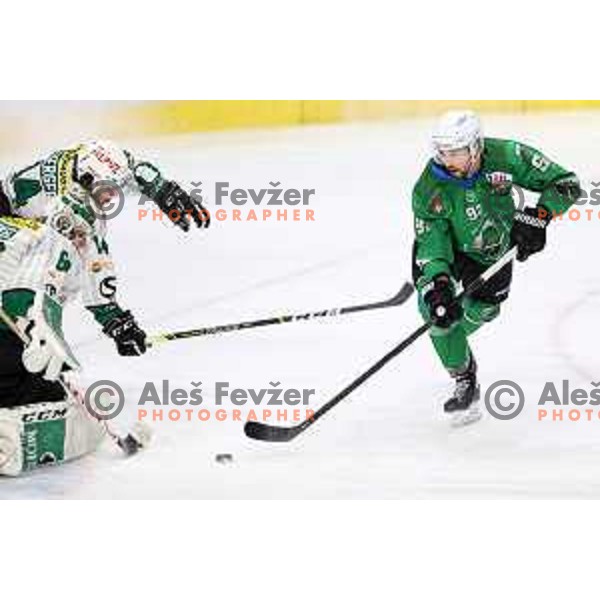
43, 267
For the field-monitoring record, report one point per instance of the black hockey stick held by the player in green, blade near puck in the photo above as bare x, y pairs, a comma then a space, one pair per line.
274, 433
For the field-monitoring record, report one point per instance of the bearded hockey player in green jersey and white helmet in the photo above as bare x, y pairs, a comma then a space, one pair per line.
465, 219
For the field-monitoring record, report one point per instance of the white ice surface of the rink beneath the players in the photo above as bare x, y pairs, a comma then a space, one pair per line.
388, 439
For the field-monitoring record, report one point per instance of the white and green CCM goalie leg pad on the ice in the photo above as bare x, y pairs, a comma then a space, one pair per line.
36, 435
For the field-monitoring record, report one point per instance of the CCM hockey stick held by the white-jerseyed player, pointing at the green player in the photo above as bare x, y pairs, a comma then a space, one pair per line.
402, 296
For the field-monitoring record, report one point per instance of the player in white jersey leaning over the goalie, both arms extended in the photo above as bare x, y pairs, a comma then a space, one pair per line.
71, 190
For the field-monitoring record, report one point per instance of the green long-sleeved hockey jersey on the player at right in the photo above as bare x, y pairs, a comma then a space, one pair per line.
474, 216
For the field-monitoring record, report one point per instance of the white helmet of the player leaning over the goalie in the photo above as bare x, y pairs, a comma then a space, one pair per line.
101, 161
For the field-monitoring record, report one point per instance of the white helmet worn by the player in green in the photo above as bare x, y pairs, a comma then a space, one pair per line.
457, 130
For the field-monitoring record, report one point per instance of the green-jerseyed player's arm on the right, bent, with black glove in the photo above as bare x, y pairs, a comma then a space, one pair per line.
558, 188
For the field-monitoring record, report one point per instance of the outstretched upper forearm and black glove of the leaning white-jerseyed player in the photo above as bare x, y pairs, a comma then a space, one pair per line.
179, 206
